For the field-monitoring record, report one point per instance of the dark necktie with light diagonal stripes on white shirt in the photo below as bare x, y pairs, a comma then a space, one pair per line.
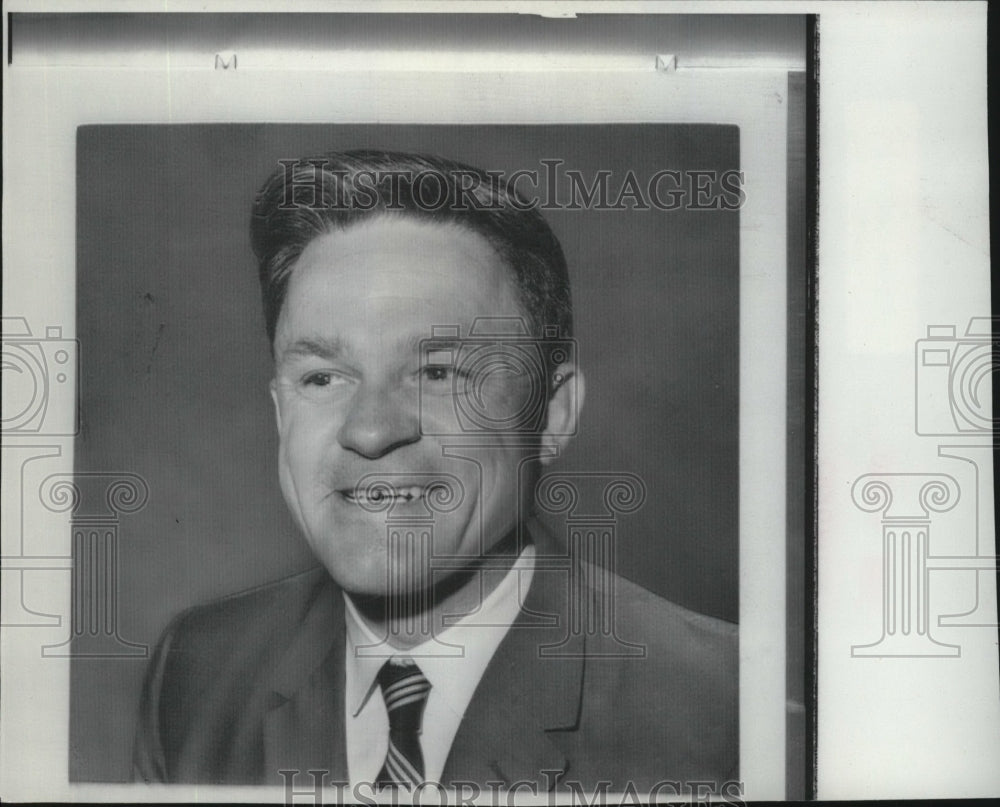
404, 690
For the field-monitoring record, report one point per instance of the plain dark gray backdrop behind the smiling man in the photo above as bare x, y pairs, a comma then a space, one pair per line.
175, 365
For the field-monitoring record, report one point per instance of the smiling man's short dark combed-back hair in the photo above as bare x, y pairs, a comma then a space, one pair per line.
304, 199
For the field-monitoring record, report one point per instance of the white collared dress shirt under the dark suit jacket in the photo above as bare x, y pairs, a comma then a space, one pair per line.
454, 665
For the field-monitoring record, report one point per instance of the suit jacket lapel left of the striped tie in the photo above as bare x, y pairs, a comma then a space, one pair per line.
304, 727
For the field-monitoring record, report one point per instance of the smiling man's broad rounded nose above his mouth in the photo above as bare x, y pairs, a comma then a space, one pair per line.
379, 420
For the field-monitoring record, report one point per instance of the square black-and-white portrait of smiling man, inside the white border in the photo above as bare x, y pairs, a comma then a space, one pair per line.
399, 421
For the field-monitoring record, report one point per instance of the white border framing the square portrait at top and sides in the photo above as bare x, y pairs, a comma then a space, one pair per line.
45, 106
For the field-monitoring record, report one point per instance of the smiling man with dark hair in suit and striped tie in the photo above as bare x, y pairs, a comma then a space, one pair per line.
420, 321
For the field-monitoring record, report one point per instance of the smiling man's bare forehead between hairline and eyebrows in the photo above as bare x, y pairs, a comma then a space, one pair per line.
394, 283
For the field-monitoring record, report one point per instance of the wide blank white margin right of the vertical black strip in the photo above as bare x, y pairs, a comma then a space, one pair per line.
904, 244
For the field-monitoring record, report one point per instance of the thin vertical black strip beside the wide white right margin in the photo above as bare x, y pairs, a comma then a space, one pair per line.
809, 458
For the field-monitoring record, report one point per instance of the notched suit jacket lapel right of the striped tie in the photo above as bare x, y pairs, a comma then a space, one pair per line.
532, 686
